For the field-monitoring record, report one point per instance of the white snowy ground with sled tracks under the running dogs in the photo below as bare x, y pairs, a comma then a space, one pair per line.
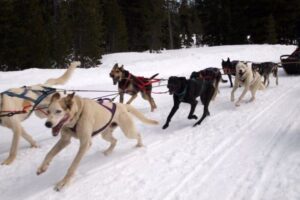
249, 152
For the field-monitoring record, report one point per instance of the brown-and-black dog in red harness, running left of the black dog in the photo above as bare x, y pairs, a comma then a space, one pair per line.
131, 84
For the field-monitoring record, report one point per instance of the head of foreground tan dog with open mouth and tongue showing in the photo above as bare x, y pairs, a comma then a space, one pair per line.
59, 112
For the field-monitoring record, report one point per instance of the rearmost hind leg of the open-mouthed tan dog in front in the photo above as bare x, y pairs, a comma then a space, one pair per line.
127, 126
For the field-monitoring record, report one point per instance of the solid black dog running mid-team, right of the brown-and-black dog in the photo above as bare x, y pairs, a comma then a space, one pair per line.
187, 91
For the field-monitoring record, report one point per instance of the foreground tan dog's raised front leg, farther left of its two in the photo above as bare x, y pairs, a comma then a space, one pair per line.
61, 144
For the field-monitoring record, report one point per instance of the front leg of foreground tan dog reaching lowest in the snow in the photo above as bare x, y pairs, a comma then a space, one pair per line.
84, 146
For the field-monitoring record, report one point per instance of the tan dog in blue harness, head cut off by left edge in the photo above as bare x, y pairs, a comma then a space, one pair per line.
25, 99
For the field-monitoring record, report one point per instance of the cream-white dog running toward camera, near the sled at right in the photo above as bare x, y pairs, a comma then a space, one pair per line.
251, 80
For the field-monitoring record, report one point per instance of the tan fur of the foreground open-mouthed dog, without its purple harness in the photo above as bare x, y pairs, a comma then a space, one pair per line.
87, 116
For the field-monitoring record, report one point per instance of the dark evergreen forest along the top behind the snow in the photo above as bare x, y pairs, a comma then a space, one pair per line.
51, 33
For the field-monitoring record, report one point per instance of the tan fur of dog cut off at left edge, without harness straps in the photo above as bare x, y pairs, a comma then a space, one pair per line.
14, 103
